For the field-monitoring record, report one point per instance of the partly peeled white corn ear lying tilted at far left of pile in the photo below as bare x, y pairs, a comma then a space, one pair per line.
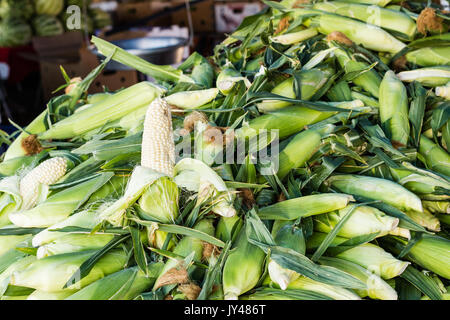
47, 173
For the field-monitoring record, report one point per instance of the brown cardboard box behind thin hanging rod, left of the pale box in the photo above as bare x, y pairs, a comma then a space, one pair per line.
202, 15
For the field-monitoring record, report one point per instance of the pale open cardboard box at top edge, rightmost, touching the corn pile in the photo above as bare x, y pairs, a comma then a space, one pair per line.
230, 14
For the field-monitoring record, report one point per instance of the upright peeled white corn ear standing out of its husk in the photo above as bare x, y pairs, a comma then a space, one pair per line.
158, 148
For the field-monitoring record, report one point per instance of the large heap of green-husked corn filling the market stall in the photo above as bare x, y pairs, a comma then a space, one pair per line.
160, 191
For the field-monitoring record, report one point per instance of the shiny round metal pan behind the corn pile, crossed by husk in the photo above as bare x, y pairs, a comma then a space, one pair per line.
157, 50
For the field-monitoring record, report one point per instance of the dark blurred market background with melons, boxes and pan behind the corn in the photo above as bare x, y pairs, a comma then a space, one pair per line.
39, 37
